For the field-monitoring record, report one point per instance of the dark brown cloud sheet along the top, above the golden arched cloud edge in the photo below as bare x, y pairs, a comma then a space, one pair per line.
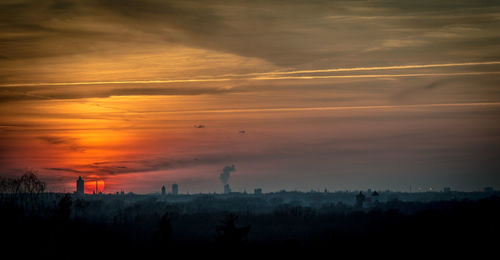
249, 29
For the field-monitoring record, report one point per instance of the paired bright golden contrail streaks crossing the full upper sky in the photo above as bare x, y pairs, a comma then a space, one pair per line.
78, 90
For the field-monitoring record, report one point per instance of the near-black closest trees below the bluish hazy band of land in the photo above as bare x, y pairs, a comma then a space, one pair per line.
151, 226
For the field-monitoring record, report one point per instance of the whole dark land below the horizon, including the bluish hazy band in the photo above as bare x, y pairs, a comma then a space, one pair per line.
69, 226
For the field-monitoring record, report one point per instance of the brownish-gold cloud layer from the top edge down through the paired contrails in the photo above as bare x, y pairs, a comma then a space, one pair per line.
119, 48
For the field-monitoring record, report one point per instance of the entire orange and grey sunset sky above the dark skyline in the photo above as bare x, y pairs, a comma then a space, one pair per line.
297, 95
